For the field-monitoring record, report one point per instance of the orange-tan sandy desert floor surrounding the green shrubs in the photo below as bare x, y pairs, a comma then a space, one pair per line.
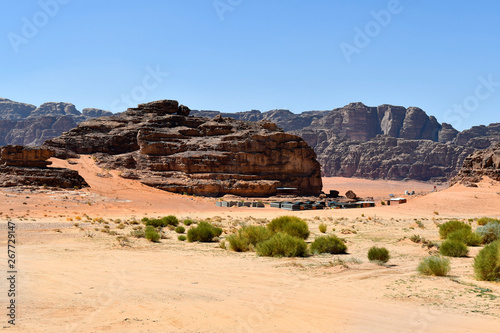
75, 278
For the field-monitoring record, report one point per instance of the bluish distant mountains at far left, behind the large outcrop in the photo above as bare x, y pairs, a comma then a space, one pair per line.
25, 124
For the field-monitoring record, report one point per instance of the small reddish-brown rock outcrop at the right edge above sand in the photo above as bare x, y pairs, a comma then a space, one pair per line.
478, 164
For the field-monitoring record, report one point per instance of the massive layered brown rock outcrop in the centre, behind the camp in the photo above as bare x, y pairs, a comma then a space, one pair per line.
160, 145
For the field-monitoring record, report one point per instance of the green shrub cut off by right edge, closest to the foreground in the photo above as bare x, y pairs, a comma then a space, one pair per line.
487, 262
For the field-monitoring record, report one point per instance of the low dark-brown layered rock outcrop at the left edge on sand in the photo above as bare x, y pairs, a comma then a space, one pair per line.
27, 166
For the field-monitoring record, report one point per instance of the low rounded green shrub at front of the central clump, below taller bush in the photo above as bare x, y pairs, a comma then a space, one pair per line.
282, 245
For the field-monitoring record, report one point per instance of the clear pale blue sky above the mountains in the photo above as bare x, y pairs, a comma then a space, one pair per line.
256, 54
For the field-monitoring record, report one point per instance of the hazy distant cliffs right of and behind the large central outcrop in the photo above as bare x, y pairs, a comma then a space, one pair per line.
389, 142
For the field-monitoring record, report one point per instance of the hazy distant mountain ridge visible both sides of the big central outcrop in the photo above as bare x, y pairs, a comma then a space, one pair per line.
384, 142
